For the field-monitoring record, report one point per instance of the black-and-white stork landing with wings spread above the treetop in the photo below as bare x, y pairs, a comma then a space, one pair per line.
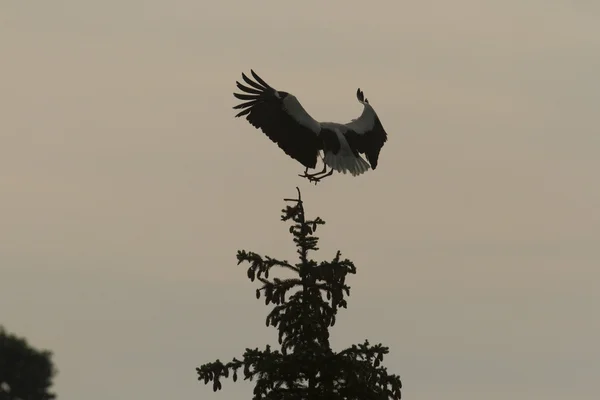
283, 119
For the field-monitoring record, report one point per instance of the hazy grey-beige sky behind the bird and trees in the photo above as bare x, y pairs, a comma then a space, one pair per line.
127, 186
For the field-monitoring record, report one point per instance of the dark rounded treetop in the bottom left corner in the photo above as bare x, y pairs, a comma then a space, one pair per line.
25, 373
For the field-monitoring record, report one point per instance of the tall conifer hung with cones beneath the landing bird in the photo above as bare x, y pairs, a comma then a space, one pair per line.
304, 308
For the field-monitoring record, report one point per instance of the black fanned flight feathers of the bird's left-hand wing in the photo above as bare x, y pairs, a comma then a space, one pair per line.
266, 109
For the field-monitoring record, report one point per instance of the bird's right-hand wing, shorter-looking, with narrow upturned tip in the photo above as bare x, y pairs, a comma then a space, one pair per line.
366, 134
